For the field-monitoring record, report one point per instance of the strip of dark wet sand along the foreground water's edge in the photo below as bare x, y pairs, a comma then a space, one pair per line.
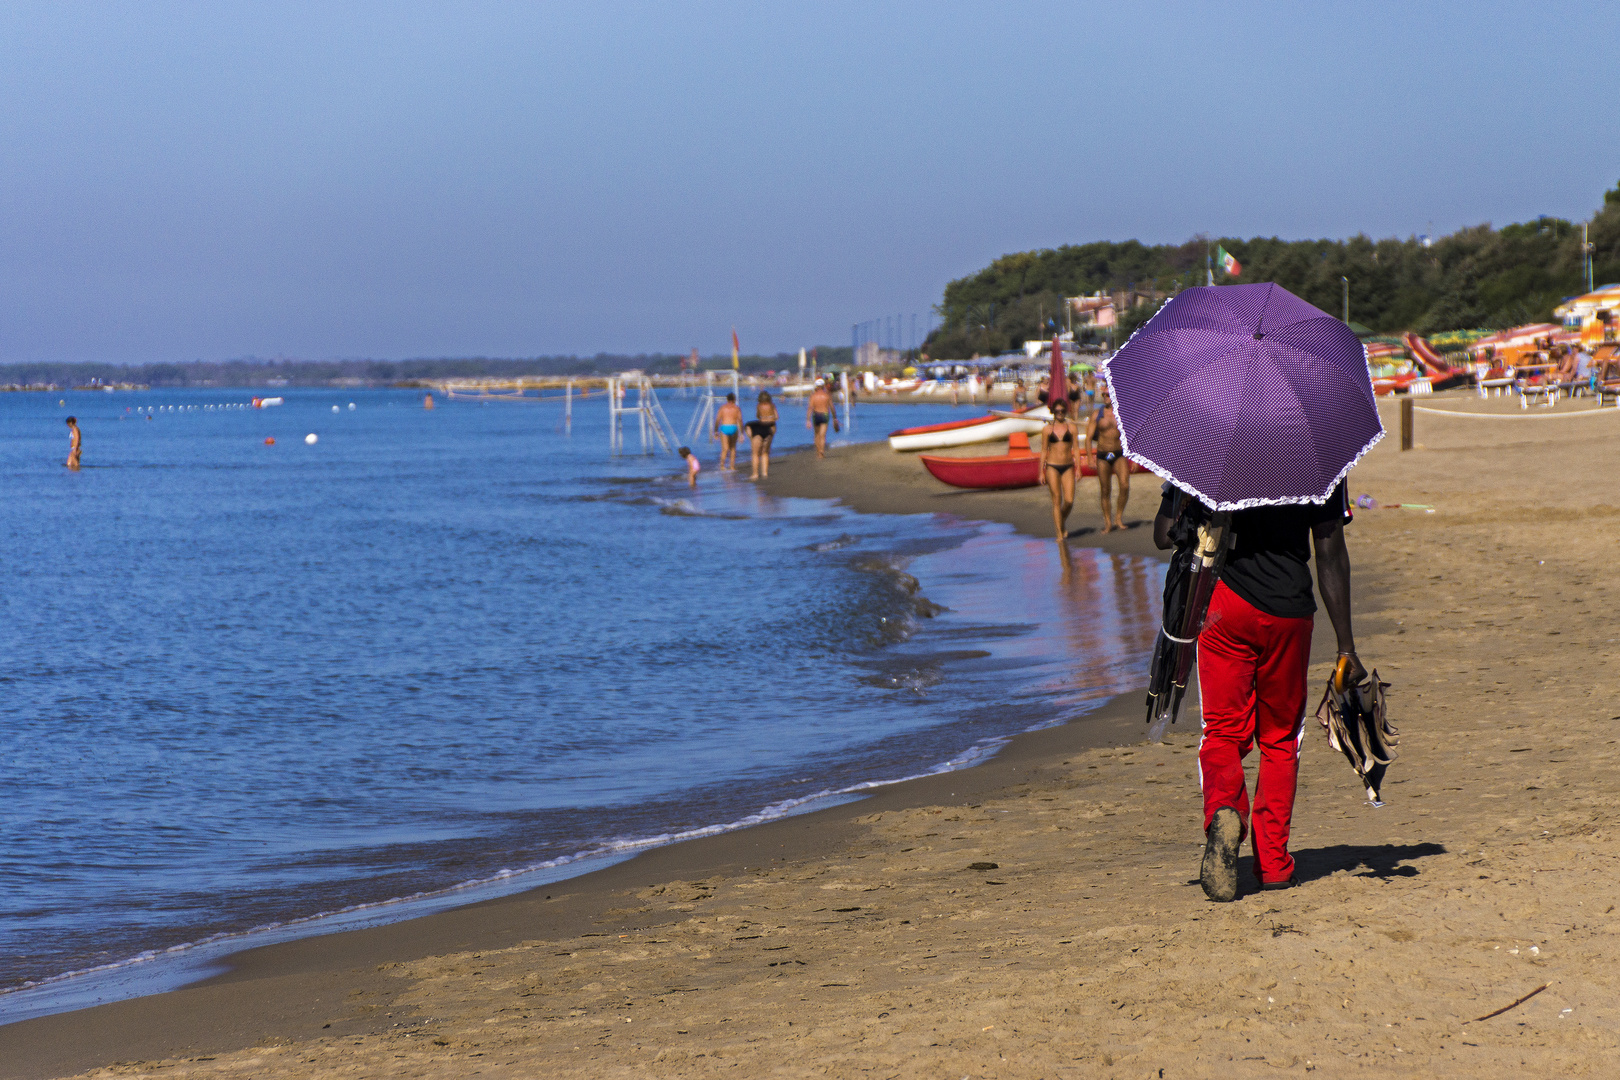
276, 992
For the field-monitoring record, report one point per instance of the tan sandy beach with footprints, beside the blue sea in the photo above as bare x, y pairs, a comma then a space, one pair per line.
1041, 916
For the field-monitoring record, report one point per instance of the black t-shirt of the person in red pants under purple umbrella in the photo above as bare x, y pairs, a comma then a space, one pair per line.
1269, 563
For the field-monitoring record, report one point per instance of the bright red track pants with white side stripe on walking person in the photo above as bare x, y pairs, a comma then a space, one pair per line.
1253, 691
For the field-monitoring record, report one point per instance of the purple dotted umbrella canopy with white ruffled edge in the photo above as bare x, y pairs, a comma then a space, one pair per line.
1245, 396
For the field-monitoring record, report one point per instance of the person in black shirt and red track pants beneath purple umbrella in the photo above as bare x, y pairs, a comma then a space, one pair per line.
1253, 658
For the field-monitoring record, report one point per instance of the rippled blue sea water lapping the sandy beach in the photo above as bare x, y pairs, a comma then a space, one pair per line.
254, 689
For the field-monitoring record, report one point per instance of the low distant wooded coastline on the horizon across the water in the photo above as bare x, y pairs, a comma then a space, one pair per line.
322, 373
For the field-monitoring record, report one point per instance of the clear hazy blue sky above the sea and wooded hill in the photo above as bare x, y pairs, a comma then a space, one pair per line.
396, 181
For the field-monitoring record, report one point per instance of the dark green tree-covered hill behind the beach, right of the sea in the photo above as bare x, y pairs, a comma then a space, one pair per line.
1477, 278
